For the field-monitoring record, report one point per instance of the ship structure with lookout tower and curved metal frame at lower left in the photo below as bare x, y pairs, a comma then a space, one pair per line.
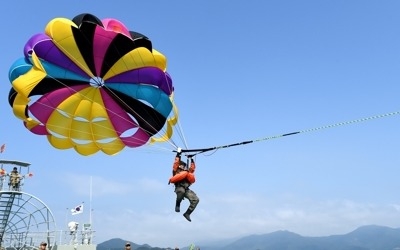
26, 221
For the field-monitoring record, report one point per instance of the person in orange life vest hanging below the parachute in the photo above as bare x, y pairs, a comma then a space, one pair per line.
182, 178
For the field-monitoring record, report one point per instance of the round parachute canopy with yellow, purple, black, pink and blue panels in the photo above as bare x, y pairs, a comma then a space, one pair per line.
93, 85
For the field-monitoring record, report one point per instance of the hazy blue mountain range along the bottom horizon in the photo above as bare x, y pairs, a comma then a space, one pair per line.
370, 237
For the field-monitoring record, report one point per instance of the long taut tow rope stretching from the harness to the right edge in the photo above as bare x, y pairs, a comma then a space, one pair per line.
203, 150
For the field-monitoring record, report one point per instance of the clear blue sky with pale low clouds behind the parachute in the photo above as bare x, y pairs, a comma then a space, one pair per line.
241, 71
